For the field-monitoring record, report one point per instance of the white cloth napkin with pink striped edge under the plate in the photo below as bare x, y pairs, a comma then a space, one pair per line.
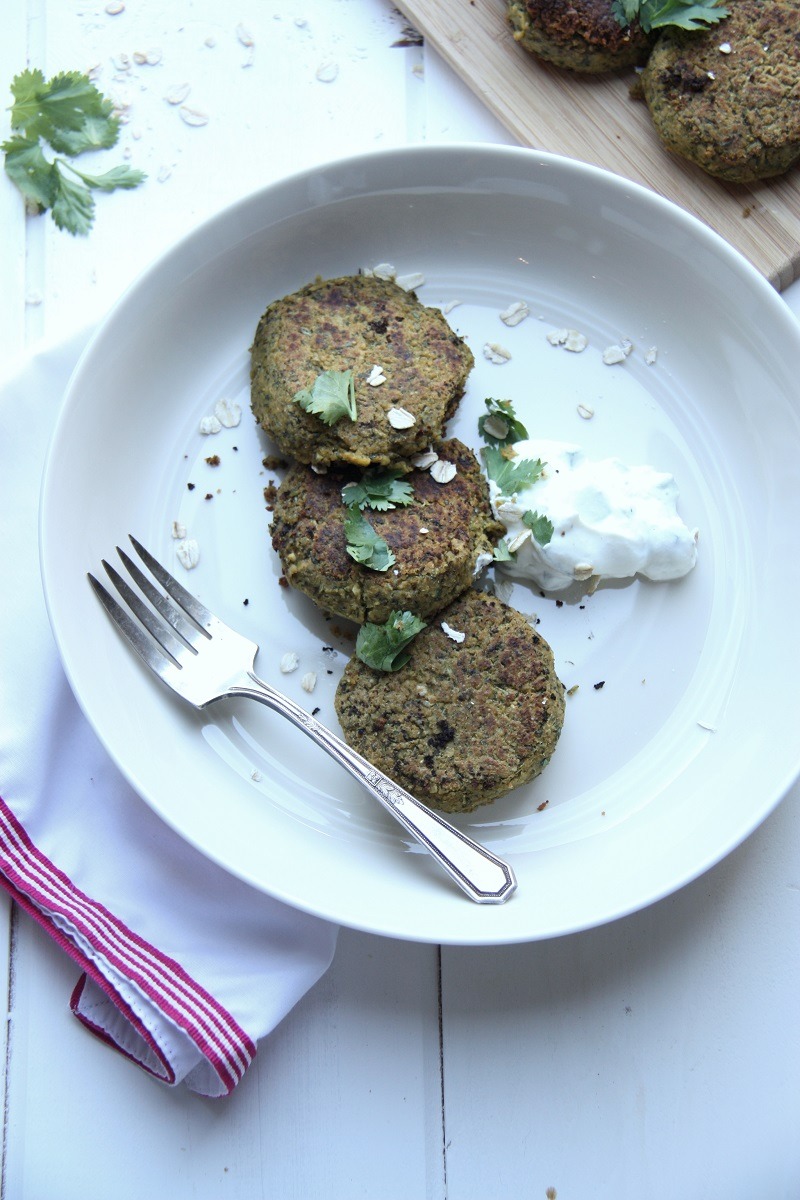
184, 968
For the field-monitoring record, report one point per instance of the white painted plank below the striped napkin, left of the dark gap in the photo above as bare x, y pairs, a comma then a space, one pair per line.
310, 1120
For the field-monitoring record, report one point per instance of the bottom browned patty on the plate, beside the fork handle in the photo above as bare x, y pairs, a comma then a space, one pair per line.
462, 723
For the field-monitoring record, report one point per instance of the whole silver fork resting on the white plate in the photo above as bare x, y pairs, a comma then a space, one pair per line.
203, 661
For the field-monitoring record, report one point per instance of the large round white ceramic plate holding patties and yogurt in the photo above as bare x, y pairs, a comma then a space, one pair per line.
693, 739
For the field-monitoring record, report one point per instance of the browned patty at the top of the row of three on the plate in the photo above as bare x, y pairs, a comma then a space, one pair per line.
357, 323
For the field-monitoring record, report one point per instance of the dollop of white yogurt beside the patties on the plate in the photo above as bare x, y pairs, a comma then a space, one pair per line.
610, 521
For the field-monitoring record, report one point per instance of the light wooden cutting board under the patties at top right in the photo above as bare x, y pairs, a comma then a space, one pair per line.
596, 121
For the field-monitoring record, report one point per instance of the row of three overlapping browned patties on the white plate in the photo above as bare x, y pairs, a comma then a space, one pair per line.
478, 707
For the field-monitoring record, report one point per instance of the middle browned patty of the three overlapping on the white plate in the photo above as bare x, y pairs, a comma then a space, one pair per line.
436, 542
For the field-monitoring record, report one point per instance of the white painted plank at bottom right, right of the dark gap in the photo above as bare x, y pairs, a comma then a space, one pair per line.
657, 1058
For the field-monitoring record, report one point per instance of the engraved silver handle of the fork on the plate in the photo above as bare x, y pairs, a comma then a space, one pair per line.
480, 874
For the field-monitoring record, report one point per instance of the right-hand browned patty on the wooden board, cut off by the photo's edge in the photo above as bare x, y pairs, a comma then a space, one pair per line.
729, 99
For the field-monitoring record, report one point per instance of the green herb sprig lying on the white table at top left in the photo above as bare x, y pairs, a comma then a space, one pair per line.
71, 117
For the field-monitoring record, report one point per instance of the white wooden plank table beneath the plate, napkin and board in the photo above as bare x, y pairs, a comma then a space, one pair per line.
653, 1059
